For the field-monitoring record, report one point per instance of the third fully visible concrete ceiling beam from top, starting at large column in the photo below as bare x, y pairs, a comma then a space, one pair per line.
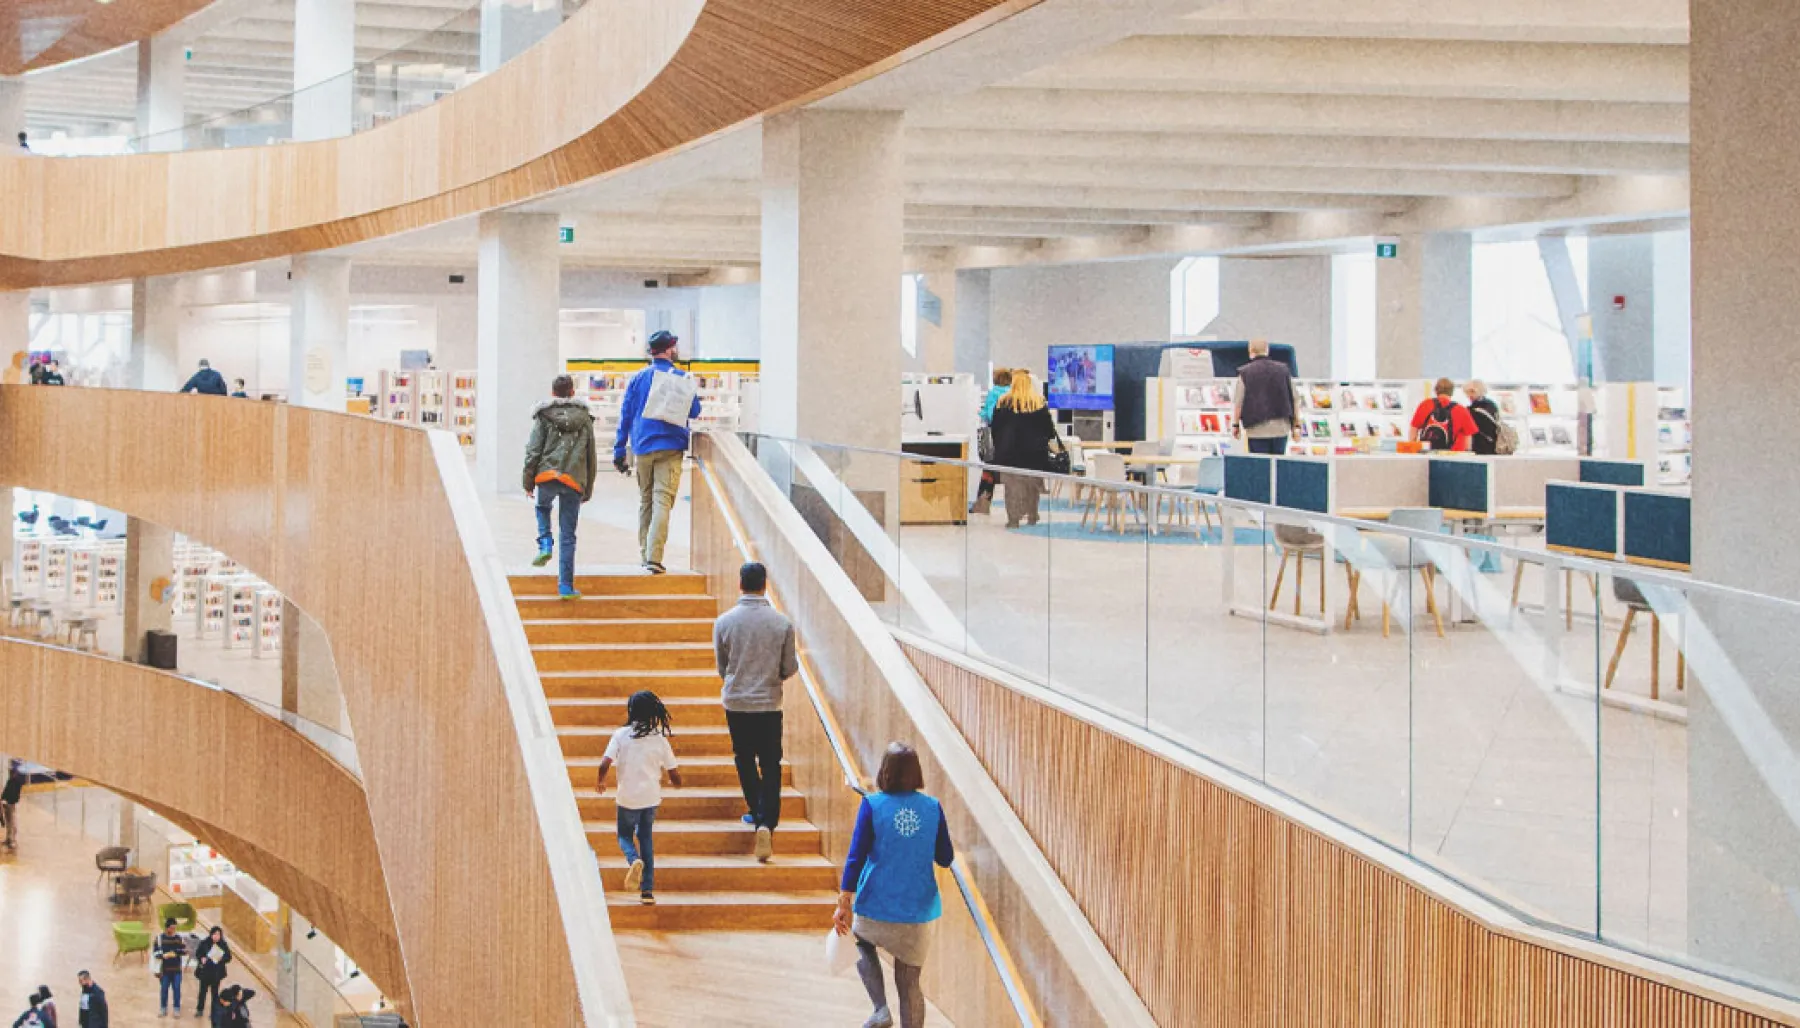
1538, 158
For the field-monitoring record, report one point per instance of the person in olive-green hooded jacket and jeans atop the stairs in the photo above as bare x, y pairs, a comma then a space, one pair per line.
561, 471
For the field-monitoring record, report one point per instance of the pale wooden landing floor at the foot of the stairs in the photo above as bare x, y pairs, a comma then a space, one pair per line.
742, 980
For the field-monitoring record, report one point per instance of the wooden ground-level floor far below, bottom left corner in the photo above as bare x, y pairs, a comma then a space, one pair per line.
57, 923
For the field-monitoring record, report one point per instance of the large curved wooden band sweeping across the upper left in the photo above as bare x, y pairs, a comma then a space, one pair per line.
737, 60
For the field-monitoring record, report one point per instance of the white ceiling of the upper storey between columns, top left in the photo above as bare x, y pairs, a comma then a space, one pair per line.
244, 57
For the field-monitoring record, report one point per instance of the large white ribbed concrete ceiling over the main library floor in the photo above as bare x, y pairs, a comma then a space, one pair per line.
1092, 129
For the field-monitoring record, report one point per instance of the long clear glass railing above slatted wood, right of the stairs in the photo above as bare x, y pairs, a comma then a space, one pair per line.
1601, 748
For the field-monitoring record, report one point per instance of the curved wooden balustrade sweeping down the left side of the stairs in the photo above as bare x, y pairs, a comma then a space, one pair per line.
348, 518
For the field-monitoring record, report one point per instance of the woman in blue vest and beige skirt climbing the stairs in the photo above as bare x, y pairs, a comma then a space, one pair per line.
890, 885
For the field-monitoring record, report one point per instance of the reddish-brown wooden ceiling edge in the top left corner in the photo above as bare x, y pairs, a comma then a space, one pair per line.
89, 30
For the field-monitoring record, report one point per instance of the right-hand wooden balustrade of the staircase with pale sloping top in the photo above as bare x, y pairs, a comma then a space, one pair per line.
960, 980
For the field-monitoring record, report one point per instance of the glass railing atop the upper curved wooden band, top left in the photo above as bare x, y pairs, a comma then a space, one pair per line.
373, 93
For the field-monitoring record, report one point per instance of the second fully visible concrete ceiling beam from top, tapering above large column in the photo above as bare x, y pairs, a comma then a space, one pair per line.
1266, 114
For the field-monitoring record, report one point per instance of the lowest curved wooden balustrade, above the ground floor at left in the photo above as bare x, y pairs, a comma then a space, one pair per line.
291, 816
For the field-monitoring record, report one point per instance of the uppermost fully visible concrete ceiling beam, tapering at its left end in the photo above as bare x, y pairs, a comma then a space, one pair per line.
1376, 68
